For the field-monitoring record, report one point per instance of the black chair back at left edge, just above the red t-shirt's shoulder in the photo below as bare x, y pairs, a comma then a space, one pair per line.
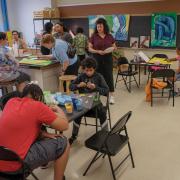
4, 99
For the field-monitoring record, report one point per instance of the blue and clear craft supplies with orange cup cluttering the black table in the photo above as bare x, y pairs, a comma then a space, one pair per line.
72, 102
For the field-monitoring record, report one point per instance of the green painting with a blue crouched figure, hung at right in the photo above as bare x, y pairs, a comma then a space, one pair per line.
163, 30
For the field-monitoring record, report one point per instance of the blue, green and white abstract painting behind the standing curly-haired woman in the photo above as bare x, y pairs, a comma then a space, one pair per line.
118, 25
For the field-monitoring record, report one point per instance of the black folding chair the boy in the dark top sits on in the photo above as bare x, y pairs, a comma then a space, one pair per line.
94, 115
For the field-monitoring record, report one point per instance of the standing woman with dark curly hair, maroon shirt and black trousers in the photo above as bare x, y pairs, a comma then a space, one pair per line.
99, 41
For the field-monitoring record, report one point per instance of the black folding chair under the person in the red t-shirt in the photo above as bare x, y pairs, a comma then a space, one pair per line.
21, 174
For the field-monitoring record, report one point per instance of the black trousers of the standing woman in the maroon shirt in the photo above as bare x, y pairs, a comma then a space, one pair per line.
105, 67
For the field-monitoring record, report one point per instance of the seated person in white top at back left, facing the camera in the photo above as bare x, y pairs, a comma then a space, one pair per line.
18, 42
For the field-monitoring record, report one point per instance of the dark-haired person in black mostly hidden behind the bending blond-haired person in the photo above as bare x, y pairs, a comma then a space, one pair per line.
48, 27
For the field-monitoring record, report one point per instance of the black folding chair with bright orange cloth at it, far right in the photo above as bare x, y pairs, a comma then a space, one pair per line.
165, 75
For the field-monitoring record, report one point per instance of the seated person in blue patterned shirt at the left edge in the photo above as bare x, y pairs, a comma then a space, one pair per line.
9, 65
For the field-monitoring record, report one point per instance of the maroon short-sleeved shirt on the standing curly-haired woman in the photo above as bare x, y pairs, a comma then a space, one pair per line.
100, 43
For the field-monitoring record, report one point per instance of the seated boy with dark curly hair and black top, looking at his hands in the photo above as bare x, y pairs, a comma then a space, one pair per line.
87, 82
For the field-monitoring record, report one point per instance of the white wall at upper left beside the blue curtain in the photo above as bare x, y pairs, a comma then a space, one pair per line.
20, 14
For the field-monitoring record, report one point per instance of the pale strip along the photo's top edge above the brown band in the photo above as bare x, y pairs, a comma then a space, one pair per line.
88, 2
